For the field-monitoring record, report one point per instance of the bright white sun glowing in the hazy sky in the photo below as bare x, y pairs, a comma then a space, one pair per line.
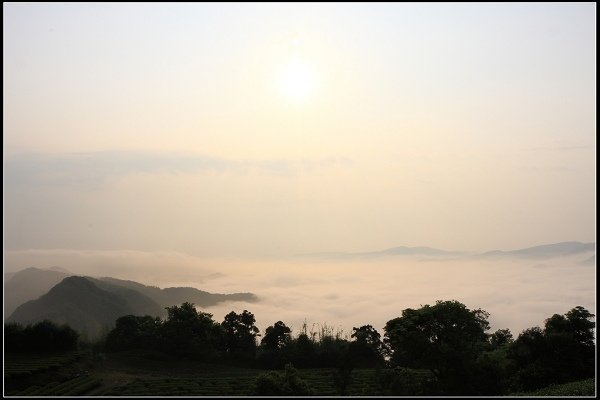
297, 80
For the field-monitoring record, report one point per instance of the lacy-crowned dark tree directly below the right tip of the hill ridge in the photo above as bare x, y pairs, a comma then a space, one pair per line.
240, 332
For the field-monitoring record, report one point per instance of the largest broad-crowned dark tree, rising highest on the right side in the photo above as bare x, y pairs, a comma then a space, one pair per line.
445, 338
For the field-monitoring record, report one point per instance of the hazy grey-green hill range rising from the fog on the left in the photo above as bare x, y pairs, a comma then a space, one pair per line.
91, 305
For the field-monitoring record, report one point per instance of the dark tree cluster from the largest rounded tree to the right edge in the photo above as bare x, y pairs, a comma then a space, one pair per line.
451, 341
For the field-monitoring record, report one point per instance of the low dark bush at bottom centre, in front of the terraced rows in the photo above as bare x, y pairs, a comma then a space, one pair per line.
275, 383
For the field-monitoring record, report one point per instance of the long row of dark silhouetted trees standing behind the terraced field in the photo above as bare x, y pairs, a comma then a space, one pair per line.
442, 349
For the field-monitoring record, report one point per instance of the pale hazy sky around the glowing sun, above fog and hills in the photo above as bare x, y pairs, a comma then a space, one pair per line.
276, 129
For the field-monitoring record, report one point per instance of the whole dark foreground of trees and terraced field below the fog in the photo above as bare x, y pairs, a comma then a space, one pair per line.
442, 349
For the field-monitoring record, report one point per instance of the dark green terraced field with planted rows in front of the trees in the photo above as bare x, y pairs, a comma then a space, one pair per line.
134, 375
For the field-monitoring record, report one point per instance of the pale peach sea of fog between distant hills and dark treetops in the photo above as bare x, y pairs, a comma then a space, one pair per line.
343, 294
